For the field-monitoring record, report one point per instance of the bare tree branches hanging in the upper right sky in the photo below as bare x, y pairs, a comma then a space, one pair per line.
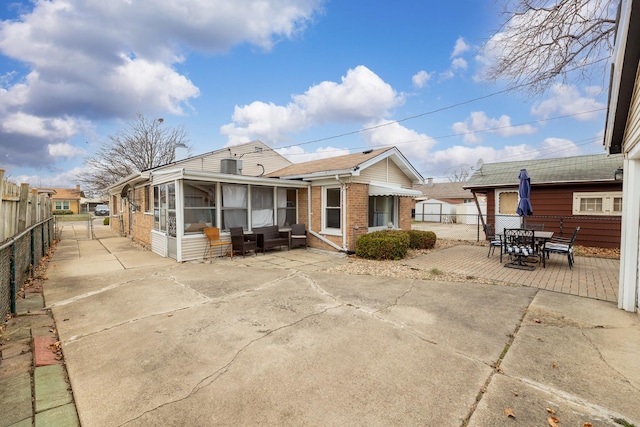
543, 41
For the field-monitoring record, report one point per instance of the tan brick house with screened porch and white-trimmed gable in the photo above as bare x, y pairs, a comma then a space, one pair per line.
250, 185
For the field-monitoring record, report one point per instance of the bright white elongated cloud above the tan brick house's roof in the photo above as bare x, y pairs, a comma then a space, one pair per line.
360, 96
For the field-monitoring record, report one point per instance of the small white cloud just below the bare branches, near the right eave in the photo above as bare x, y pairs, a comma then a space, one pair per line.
566, 100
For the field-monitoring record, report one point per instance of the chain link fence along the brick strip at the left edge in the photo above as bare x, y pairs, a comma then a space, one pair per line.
18, 257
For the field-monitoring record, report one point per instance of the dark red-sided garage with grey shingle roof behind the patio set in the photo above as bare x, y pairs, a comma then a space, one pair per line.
566, 192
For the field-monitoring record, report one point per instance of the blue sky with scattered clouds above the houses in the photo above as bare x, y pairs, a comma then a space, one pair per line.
309, 78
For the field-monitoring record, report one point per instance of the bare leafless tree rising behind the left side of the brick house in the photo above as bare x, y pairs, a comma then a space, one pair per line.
140, 145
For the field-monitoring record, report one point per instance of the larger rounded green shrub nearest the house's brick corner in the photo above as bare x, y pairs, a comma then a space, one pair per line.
386, 244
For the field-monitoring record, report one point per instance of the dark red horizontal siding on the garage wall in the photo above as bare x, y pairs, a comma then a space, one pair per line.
553, 206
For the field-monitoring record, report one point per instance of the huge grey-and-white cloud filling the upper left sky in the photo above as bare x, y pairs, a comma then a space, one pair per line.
112, 59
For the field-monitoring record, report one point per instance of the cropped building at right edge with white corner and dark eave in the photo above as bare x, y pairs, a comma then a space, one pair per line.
622, 135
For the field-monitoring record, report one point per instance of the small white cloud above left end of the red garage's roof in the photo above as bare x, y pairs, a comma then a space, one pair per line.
478, 123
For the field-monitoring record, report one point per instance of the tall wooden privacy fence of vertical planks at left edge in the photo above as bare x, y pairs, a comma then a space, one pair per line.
20, 208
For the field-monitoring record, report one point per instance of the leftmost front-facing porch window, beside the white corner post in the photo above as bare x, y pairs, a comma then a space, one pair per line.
199, 206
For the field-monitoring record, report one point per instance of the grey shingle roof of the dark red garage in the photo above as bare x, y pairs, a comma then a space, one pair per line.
596, 167
